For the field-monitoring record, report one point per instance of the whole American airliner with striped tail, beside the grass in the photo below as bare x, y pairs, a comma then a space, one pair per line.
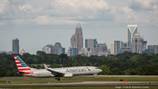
25, 70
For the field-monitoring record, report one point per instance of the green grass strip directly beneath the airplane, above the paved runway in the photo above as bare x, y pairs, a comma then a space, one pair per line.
29, 80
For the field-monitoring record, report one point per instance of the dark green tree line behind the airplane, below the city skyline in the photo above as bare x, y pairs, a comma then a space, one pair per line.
122, 64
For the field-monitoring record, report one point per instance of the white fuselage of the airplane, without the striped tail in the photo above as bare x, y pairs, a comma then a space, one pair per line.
66, 71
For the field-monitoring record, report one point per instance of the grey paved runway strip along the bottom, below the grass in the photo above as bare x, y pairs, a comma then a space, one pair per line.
115, 84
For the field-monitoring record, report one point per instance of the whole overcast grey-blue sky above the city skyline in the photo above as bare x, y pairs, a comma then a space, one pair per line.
40, 22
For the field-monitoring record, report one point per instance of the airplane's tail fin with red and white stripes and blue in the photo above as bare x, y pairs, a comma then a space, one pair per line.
22, 66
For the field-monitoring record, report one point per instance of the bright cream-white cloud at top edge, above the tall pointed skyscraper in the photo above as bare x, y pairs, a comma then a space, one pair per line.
78, 7
